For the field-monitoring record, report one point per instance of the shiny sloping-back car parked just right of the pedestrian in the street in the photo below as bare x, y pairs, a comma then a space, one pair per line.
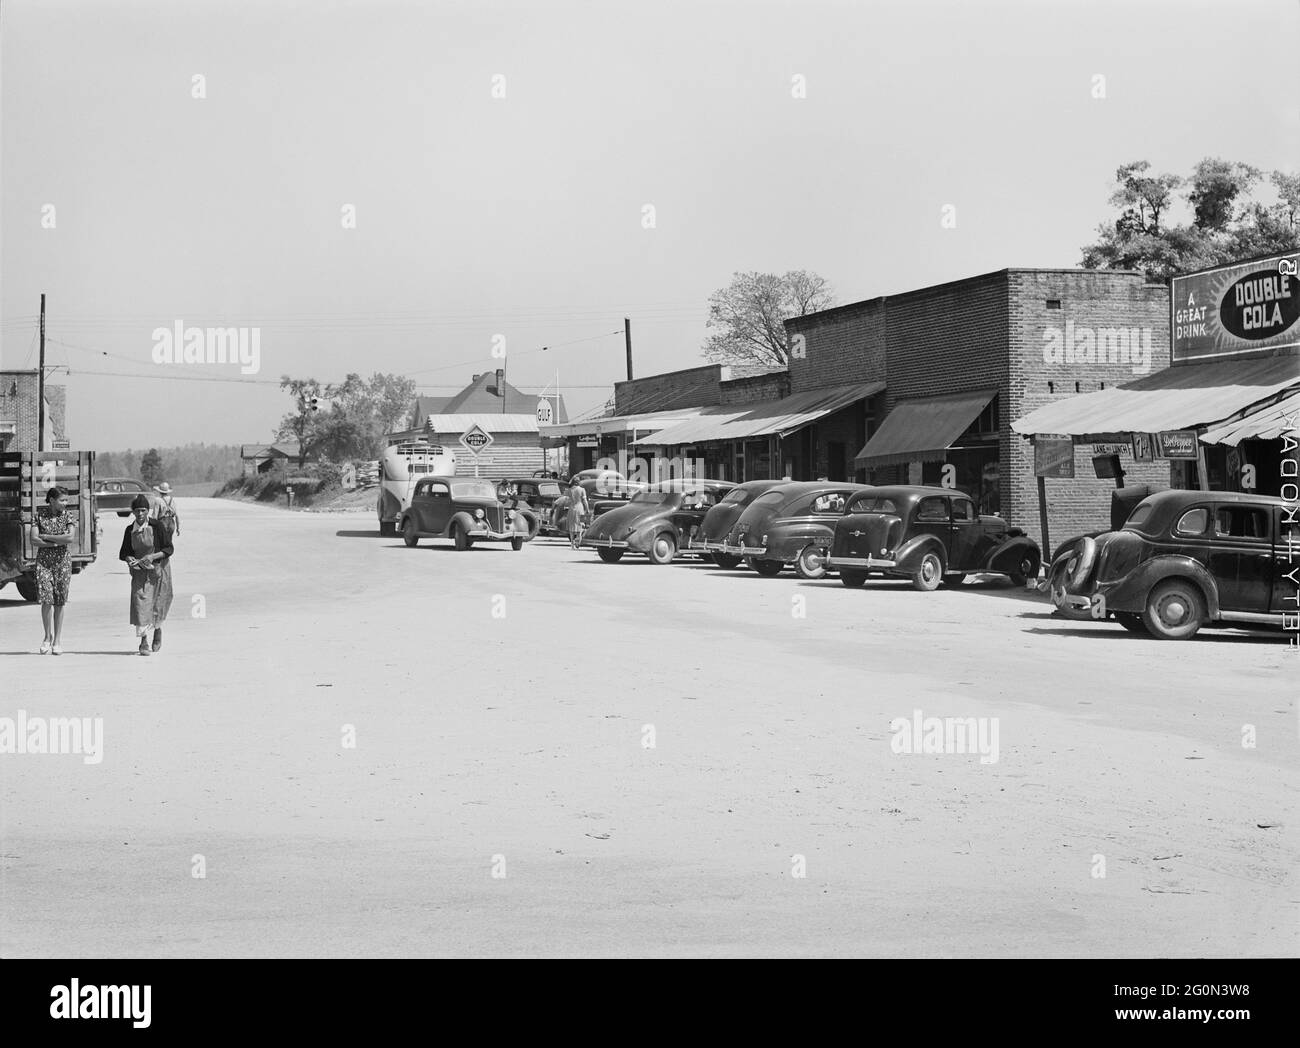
658, 522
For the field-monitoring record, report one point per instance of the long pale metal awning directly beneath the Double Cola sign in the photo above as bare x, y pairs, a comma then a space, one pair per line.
1184, 397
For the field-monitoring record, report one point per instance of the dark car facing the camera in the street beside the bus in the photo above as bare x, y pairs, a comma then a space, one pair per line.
465, 510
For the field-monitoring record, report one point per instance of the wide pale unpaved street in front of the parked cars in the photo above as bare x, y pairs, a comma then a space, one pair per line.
501, 705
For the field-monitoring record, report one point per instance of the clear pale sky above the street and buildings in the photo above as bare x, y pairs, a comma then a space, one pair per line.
500, 159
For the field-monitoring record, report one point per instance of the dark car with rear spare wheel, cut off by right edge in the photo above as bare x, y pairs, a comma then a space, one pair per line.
1186, 560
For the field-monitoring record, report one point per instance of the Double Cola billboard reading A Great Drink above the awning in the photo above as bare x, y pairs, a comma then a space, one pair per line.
1247, 310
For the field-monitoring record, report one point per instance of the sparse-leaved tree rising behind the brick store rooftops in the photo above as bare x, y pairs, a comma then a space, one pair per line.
748, 315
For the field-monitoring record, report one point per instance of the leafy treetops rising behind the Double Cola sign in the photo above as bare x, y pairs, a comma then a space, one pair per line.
1227, 224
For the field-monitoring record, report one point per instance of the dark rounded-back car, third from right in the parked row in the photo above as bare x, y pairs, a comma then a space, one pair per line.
791, 523
